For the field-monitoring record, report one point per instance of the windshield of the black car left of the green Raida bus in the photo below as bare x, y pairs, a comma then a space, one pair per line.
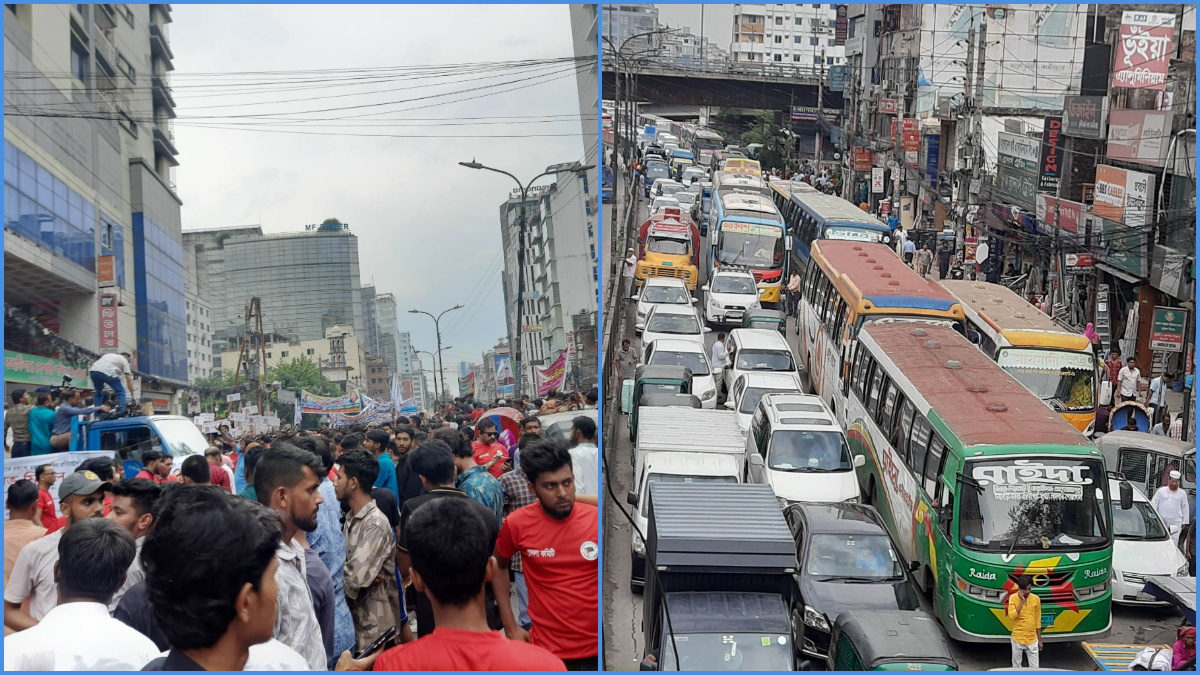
853, 558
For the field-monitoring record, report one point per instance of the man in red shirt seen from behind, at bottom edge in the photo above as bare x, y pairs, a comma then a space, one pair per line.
453, 578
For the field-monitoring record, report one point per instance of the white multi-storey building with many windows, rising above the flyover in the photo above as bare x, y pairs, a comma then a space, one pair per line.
794, 35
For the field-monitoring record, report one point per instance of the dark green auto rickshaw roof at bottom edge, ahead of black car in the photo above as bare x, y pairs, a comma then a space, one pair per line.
889, 641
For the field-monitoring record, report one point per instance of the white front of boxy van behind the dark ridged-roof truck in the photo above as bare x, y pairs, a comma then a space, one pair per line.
669, 468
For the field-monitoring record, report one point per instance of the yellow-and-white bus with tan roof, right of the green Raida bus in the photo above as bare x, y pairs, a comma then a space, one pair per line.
1055, 363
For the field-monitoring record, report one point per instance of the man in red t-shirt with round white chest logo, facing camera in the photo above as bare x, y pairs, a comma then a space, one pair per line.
557, 541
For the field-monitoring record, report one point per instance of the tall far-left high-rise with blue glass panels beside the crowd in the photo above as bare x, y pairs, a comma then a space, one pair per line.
92, 219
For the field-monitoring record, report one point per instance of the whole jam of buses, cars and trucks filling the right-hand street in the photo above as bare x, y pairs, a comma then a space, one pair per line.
830, 459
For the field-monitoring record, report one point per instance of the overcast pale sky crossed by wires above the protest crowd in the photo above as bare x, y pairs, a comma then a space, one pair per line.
429, 230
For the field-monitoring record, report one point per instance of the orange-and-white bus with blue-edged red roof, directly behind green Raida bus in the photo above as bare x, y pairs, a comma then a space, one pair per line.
854, 283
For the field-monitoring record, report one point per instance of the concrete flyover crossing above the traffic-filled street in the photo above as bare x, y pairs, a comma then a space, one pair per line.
743, 86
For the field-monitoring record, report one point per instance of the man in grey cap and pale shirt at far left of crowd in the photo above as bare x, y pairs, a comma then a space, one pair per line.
81, 497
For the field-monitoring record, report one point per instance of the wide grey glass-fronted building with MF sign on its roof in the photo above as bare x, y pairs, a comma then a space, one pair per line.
307, 282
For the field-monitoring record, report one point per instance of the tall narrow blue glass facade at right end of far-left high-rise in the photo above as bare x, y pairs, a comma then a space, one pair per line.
159, 274
